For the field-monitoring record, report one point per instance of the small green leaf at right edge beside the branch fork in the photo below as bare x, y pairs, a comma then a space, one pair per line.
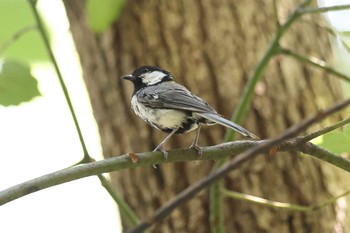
336, 142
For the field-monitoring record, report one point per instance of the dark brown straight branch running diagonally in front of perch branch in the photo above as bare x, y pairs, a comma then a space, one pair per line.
249, 154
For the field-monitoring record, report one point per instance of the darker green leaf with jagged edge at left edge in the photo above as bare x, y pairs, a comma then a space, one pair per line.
17, 85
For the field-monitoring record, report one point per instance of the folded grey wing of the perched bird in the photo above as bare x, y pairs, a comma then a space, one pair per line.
172, 96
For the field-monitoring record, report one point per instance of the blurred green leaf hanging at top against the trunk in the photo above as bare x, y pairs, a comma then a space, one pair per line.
102, 13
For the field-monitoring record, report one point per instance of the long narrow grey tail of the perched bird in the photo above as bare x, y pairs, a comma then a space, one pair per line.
229, 124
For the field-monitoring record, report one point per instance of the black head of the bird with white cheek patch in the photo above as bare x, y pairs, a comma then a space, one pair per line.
148, 76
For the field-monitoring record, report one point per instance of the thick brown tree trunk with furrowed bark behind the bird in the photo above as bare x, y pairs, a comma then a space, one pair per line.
211, 47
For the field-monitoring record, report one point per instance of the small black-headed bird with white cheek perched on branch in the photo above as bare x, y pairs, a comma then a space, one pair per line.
171, 107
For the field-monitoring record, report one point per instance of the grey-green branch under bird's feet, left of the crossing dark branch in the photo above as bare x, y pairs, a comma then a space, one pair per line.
118, 163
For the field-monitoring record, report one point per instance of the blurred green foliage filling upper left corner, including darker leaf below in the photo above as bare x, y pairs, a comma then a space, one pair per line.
20, 45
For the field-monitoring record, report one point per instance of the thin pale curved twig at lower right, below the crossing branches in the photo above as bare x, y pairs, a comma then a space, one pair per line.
280, 205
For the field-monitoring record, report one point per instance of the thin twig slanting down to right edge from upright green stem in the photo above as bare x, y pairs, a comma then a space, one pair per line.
314, 62
